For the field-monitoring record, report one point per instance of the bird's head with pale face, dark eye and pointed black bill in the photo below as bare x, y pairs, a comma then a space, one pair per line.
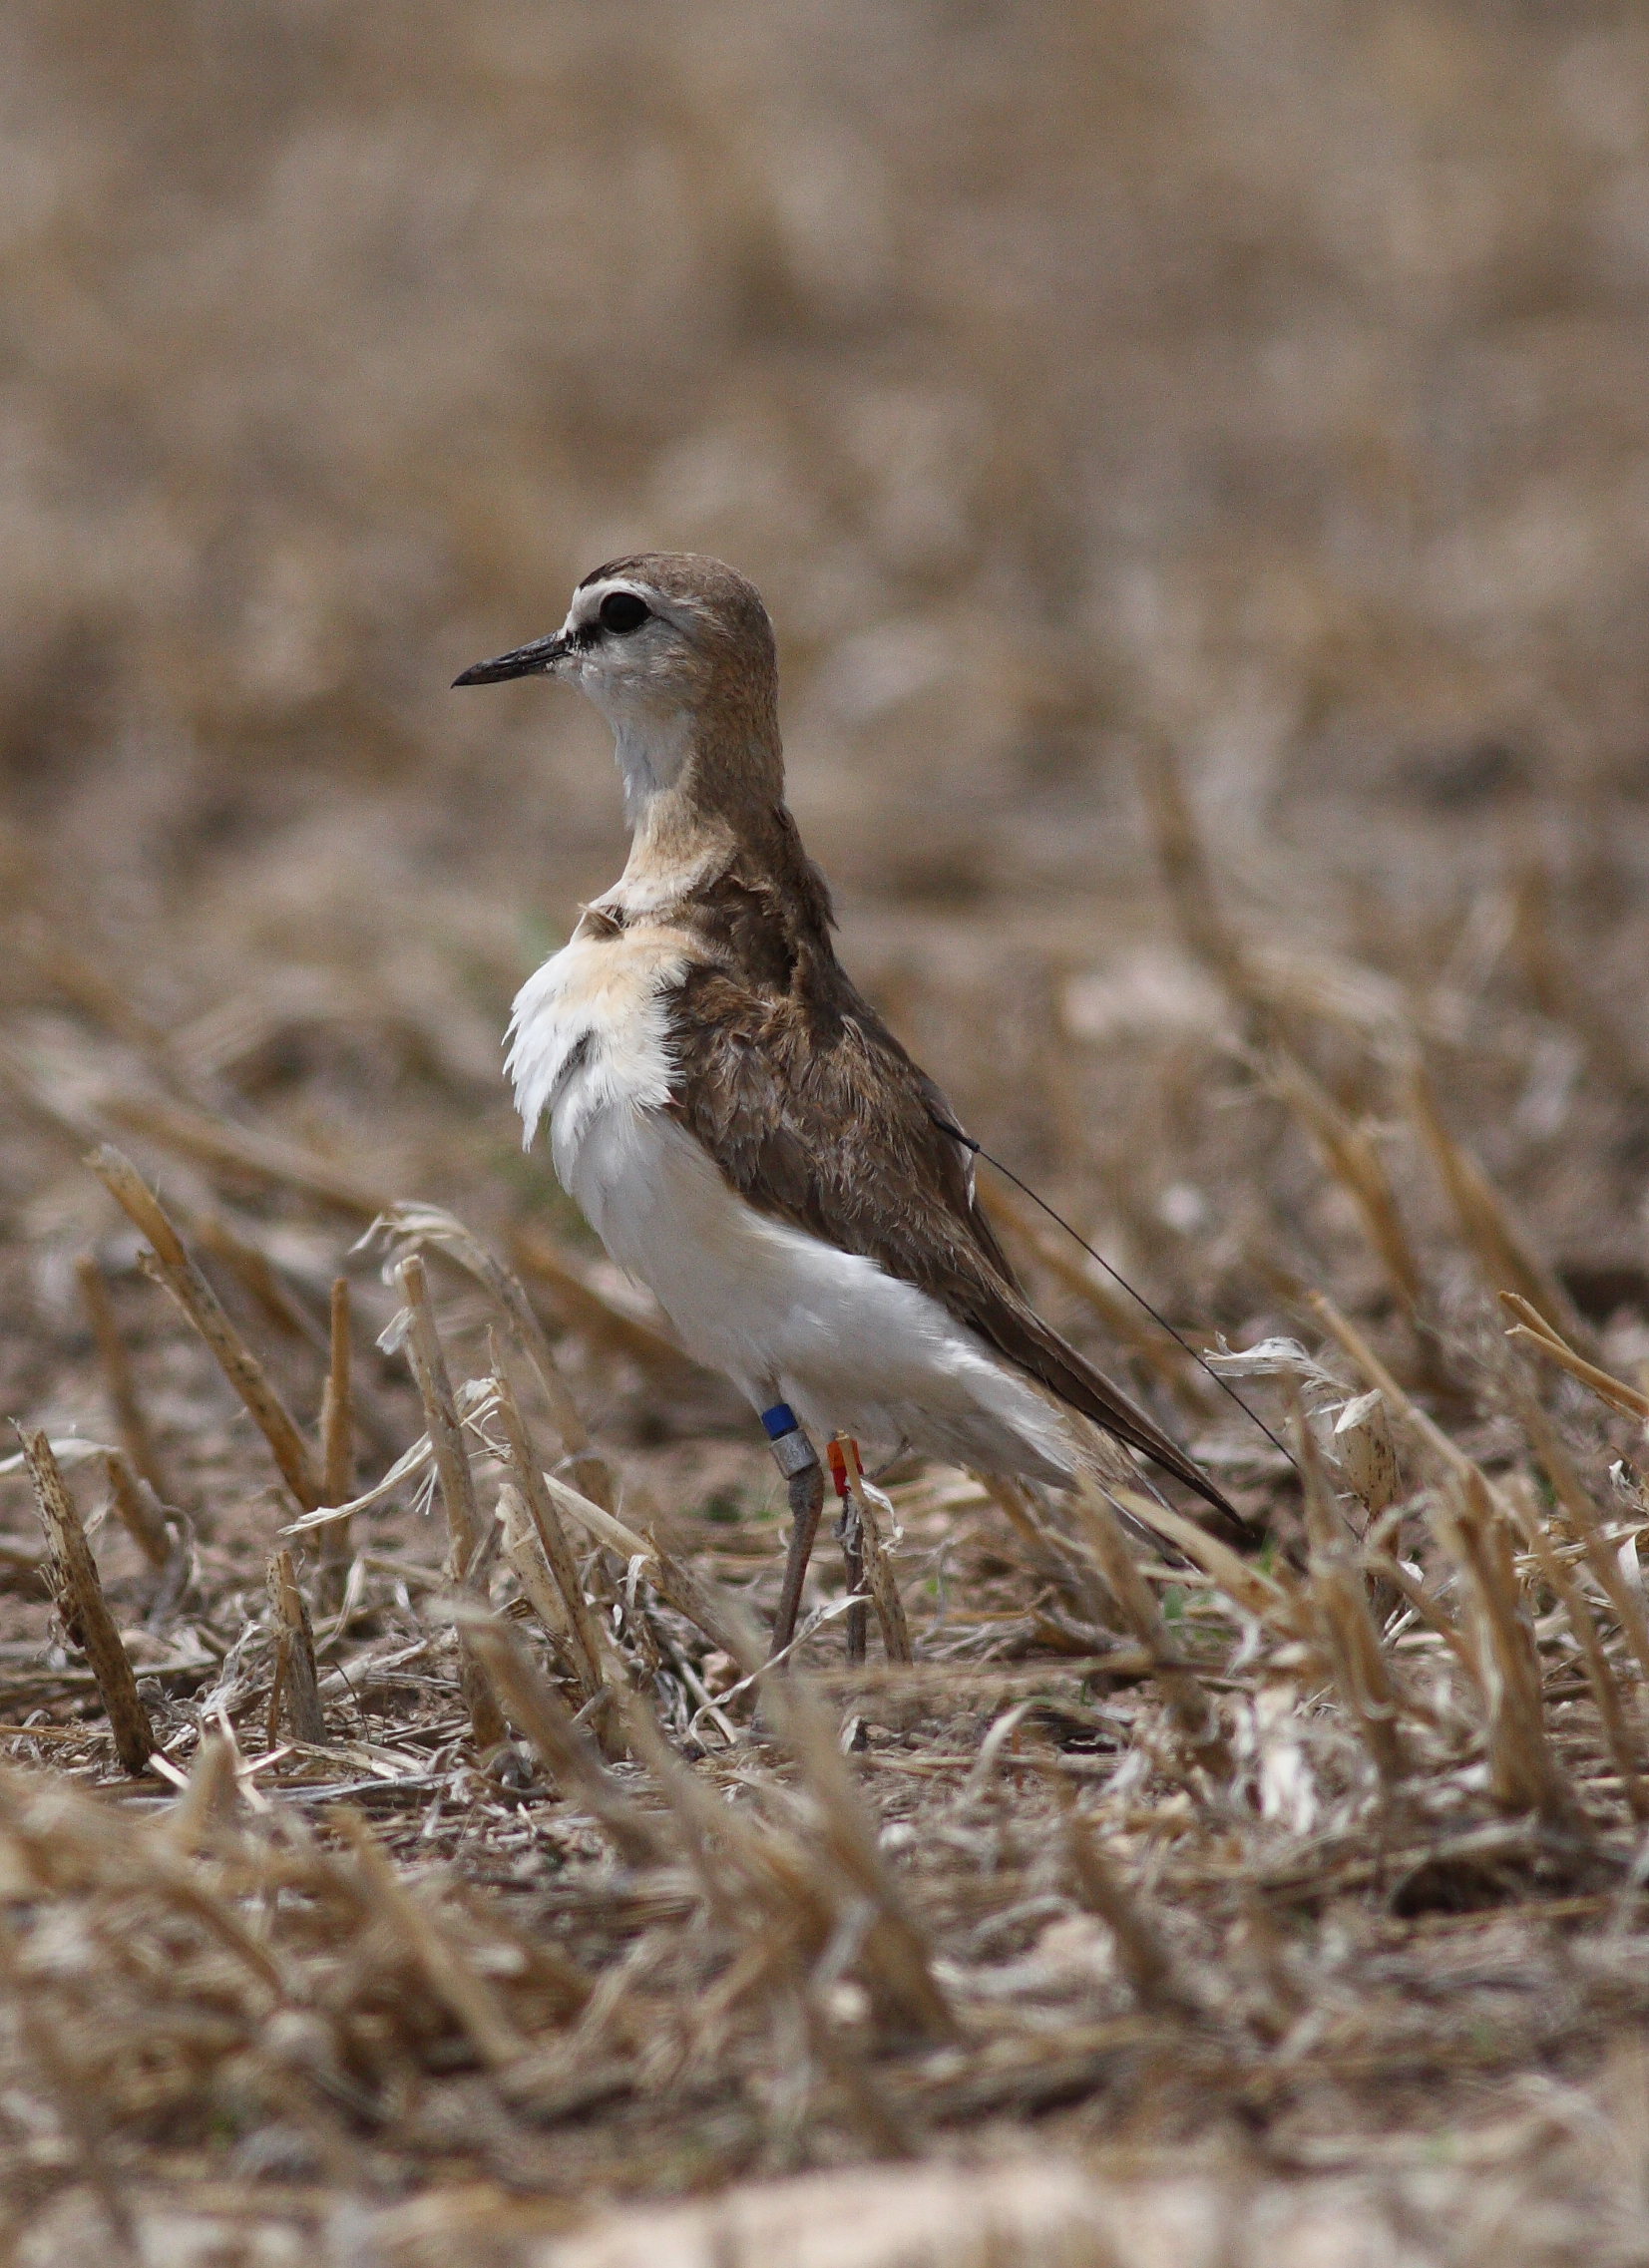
677, 652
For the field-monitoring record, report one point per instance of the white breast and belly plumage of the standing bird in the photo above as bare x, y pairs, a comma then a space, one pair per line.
784, 1314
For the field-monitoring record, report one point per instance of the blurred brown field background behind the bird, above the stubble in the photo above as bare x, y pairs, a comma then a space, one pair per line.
1260, 373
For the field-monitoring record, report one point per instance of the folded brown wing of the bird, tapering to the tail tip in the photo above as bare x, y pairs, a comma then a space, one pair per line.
818, 1117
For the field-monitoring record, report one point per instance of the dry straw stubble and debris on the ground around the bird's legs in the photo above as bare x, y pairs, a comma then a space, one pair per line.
416, 1870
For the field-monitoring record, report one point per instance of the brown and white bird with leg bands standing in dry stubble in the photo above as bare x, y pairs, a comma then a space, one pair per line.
738, 1124
